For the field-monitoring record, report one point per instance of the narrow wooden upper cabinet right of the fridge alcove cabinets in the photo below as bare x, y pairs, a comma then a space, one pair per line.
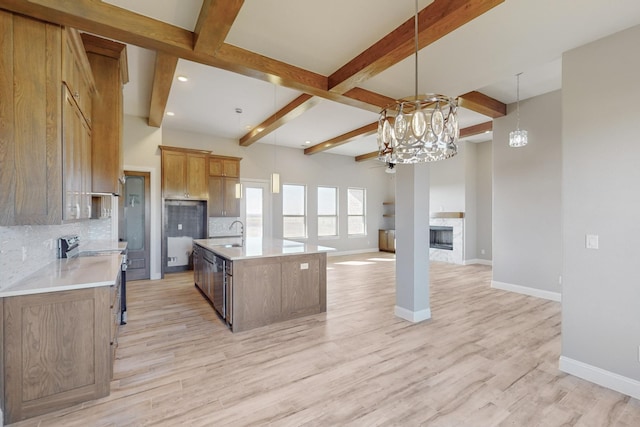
224, 174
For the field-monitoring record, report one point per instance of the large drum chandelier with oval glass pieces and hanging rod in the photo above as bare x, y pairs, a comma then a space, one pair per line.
419, 128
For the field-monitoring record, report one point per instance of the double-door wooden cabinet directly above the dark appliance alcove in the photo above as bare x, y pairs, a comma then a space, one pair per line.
184, 173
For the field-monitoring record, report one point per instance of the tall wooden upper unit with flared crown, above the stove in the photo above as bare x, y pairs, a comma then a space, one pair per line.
108, 61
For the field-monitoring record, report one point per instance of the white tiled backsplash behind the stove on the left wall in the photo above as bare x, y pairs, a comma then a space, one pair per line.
25, 249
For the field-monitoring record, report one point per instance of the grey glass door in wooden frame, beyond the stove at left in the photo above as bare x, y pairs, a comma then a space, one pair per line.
135, 227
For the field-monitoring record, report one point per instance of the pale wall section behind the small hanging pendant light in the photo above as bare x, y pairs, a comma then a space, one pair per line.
526, 199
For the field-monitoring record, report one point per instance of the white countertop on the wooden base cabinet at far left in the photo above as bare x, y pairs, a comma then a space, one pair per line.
68, 274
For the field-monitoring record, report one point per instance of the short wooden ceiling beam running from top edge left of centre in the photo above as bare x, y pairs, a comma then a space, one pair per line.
214, 22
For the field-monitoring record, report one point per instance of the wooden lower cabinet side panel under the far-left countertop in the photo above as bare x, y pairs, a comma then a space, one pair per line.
57, 349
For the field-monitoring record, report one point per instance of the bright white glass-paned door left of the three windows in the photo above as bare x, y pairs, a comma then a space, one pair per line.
255, 208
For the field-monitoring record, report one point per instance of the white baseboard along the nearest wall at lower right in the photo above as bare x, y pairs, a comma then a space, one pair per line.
599, 376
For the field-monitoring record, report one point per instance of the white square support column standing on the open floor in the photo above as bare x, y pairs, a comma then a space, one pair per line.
412, 242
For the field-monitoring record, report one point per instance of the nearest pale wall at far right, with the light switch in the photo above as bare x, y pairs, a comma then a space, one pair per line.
601, 159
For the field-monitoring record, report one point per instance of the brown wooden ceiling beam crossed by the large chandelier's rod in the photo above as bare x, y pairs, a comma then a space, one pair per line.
434, 21
